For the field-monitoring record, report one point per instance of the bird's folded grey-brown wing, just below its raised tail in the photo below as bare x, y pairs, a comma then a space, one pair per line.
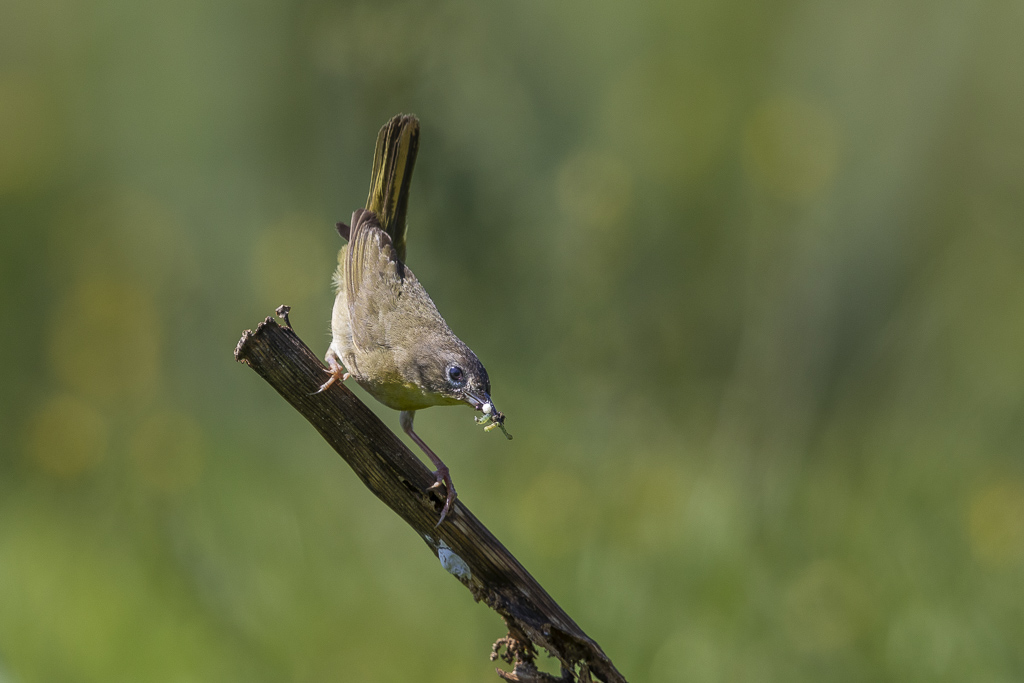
374, 280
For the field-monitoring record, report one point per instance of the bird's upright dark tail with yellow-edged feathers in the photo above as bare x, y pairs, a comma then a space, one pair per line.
395, 157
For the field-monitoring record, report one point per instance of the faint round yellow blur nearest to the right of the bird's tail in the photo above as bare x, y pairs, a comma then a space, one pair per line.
595, 190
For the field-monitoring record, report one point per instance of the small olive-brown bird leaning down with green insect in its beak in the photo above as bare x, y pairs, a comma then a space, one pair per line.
387, 332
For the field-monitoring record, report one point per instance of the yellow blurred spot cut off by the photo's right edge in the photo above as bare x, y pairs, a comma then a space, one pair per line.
996, 520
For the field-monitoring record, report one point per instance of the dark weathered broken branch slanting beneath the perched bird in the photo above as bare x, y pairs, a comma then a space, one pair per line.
463, 545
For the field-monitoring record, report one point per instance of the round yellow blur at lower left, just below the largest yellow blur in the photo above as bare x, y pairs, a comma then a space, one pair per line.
67, 437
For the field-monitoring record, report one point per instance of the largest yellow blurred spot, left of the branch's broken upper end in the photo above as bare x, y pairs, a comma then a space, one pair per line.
106, 340
